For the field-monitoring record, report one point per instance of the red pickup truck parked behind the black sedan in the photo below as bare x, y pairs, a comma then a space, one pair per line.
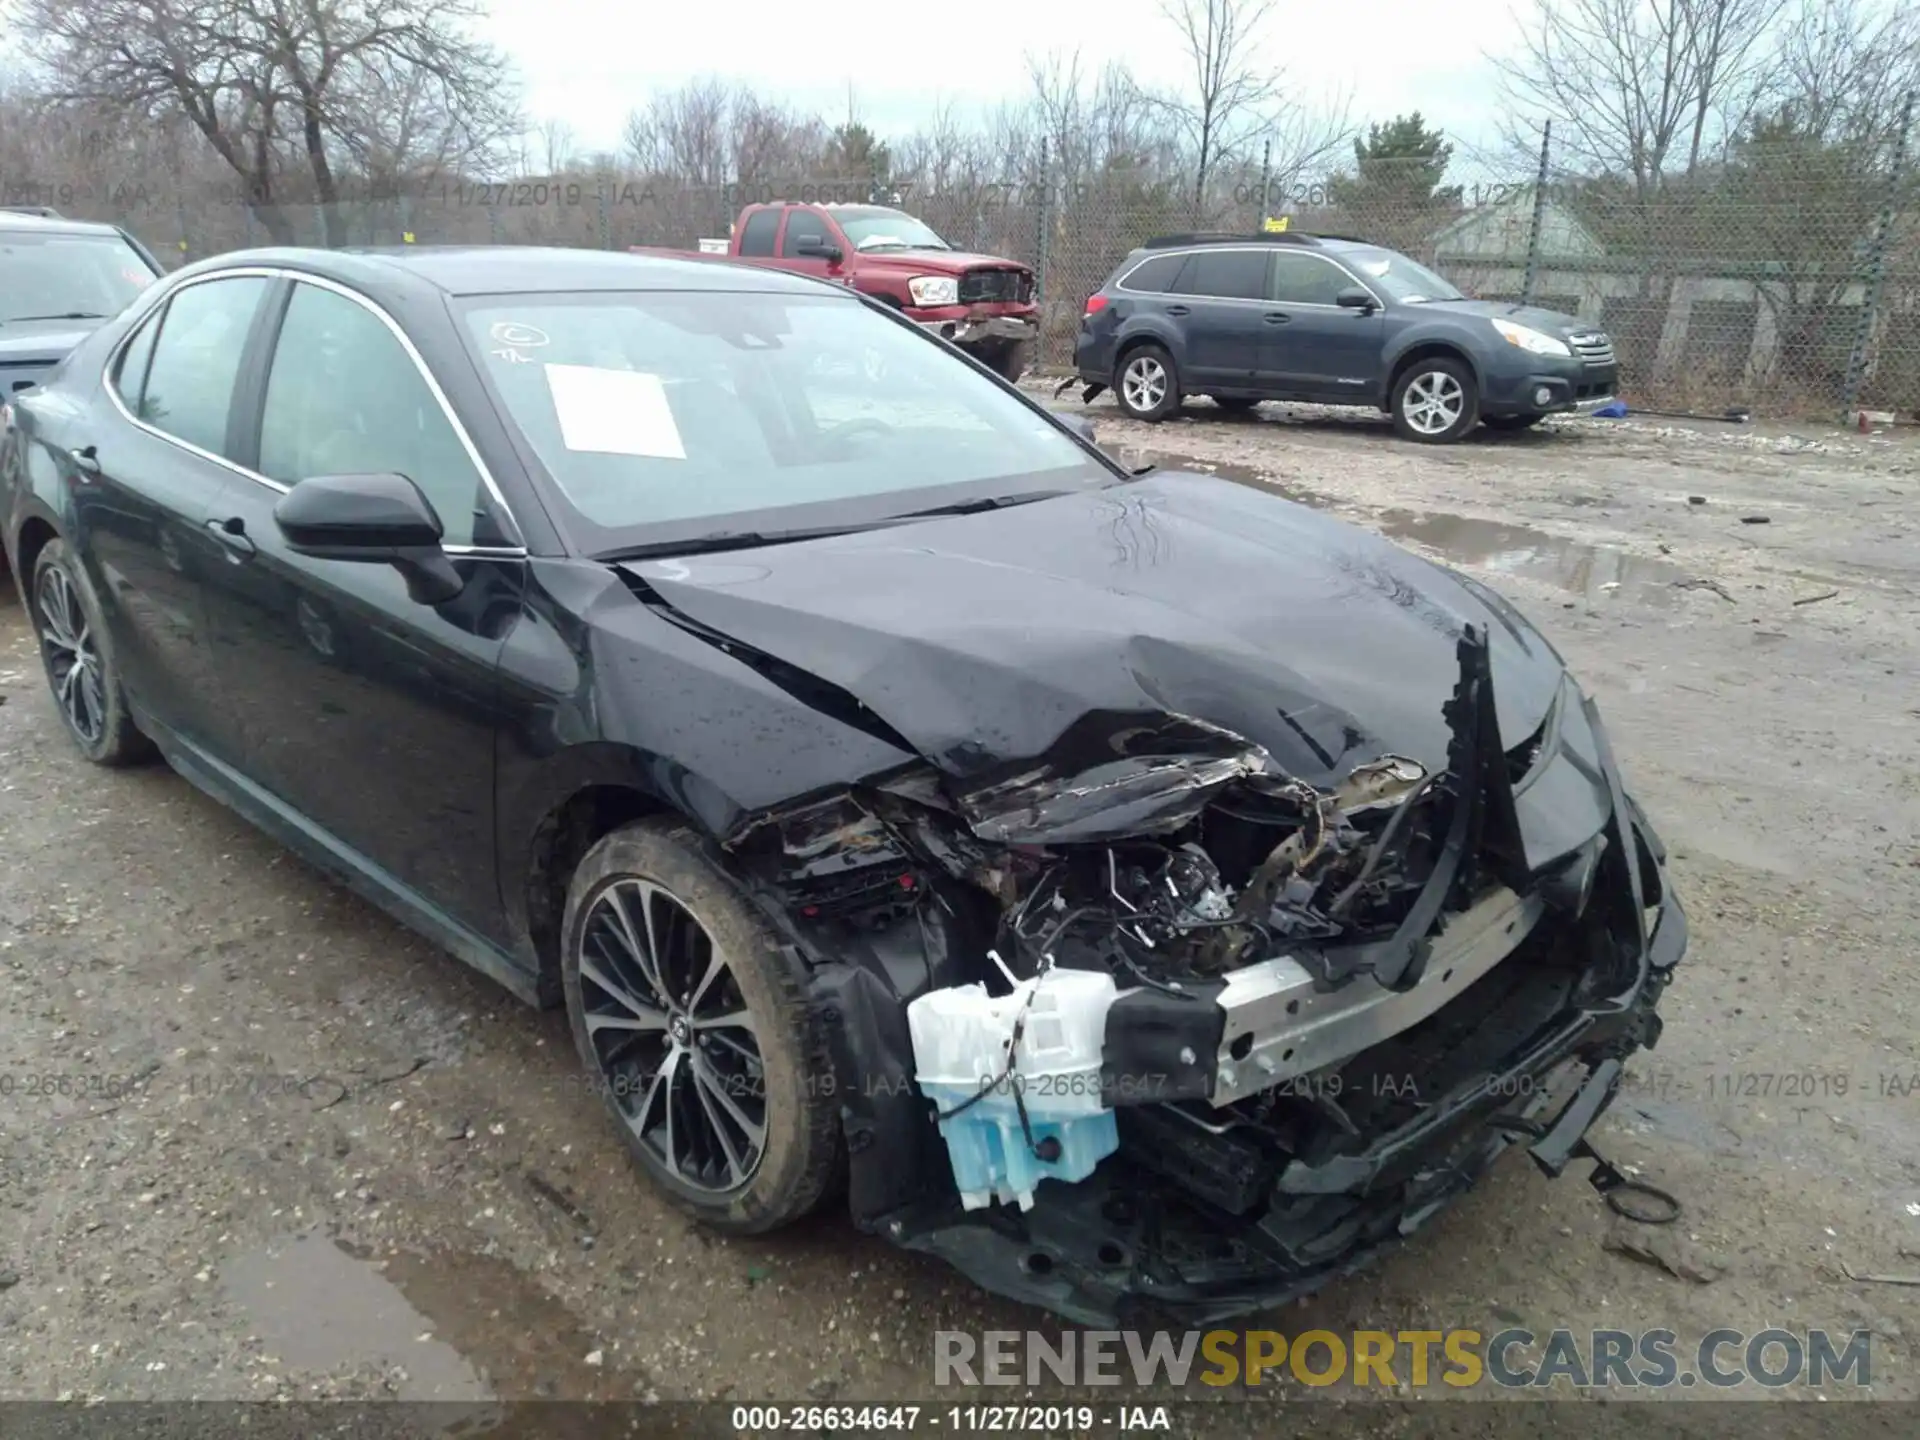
980, 302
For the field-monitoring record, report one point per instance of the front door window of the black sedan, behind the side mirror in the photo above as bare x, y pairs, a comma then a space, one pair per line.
347, 398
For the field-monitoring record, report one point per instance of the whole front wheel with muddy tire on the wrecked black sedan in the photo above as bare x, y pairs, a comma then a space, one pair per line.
692, 1020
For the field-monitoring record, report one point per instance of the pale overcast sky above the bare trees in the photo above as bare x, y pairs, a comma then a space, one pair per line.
590, 62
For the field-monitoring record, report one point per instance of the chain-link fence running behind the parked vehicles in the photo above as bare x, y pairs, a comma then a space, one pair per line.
1783, 277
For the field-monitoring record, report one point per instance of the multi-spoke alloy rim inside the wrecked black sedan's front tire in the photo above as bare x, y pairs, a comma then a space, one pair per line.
673, 1036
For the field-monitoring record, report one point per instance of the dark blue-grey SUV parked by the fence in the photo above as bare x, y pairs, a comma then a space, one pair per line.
1335, 322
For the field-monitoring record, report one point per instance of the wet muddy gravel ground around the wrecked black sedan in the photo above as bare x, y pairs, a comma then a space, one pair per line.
350, 1168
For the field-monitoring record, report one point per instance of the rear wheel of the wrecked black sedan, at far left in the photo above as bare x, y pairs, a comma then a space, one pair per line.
80, 661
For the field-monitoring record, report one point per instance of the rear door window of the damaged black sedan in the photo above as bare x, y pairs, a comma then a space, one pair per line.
197, 358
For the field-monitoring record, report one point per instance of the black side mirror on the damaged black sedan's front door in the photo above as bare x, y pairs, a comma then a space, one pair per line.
379, 519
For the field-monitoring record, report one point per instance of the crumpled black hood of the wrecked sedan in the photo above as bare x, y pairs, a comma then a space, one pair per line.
994, 638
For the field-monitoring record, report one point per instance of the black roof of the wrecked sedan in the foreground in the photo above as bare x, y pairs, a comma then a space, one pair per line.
517, 270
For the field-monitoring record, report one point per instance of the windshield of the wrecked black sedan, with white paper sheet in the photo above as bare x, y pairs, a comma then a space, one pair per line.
698, 416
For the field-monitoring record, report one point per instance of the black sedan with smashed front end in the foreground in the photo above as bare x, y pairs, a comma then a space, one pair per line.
713, 654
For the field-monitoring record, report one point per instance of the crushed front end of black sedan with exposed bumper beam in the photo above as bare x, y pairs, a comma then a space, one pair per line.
1335, 1005
